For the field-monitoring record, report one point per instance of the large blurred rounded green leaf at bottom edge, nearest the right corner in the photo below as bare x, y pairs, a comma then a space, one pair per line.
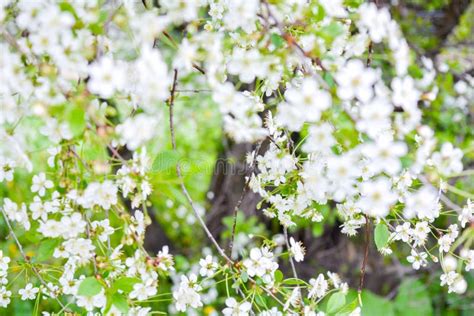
413, 299
